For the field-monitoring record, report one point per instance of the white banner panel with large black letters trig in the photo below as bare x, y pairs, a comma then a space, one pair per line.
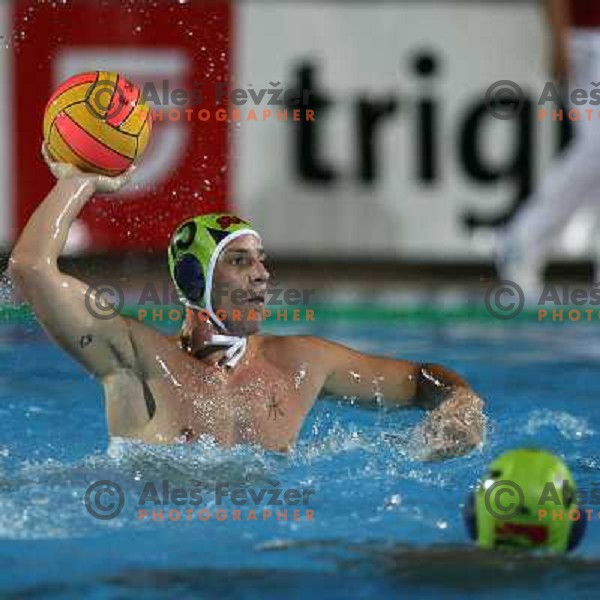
402, 154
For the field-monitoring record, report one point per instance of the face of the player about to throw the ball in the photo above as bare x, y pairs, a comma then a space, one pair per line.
240, 284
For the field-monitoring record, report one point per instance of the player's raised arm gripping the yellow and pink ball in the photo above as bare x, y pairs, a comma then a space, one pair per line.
59, 300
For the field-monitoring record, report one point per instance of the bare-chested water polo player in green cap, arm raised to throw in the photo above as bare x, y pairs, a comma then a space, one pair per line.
218, 377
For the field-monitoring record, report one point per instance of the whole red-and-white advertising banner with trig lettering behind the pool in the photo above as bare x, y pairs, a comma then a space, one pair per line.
388, 152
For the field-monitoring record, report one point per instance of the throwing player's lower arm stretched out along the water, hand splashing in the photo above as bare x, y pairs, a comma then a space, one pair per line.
455, 423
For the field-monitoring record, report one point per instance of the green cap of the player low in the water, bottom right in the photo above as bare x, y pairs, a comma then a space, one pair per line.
526, 500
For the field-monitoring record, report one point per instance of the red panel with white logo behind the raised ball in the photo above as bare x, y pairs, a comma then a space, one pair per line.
166, 43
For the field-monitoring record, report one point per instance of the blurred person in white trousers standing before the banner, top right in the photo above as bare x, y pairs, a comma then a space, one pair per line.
573, 180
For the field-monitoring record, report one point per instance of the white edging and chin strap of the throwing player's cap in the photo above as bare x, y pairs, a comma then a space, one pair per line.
235, 344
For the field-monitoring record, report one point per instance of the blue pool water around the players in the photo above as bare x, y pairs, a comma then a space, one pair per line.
376, 508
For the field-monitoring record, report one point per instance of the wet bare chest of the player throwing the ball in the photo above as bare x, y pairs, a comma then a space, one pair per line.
256, 402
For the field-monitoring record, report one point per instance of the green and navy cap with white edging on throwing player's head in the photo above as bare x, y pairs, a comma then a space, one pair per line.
193, 252
